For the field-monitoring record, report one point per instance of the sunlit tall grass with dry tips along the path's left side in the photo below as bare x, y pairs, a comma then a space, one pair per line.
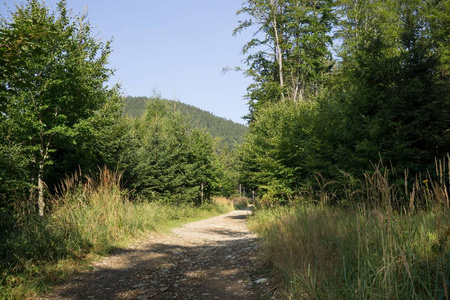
88, 216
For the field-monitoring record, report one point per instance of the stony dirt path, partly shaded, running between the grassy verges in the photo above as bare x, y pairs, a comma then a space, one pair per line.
208, 259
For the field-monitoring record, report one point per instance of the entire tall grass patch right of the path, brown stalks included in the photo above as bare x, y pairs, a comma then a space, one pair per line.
375, 249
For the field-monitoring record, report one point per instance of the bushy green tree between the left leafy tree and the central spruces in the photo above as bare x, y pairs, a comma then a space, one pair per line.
103, 139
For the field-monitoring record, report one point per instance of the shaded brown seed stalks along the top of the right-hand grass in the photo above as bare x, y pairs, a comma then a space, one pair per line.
384, 187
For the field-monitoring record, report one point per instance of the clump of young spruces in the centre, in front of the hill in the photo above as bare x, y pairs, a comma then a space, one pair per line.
174, 161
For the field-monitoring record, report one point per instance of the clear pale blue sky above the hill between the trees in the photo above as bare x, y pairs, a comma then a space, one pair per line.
177, 47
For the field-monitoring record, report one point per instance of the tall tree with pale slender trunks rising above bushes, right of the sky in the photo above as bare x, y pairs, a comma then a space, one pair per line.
292, 43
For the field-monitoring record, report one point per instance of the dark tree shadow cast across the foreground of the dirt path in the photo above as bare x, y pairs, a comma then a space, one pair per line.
218, 270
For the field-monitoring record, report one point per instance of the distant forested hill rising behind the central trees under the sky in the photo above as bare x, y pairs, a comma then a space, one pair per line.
229, 131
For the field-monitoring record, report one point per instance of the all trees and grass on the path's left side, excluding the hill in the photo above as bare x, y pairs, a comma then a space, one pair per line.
63, 131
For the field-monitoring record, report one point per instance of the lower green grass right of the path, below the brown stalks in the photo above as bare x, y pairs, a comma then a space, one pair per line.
328, 253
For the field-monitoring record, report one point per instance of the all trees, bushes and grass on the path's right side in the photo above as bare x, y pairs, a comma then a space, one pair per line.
348, 142
